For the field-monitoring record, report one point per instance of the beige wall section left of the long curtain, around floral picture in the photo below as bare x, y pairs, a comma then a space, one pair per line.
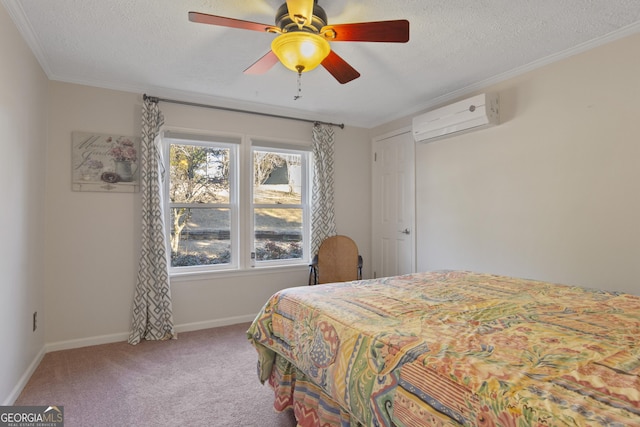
93, 237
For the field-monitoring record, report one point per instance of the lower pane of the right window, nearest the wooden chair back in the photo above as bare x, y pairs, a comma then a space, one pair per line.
278, 234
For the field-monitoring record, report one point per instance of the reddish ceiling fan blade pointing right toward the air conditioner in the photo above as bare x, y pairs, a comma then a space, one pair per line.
380, 31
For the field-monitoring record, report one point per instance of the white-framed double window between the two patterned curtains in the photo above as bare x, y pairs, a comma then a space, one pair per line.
214, 223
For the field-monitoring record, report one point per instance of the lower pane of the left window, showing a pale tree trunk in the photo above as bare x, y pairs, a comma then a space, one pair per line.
200, 236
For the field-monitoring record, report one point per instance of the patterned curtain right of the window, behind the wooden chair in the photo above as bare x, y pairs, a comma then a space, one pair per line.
322, 213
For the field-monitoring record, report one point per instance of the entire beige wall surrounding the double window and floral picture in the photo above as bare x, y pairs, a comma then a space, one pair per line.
91, 256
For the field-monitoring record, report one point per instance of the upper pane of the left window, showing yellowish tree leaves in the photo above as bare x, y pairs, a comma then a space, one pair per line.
198, 174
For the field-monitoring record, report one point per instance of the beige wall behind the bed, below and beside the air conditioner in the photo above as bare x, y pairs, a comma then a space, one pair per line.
553, 193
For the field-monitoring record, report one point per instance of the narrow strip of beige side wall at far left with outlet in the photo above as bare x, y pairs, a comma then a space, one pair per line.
23, 91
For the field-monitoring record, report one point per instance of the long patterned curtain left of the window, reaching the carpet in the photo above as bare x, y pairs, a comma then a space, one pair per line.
152, 311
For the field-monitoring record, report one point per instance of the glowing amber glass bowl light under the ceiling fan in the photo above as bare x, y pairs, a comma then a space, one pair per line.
300, 51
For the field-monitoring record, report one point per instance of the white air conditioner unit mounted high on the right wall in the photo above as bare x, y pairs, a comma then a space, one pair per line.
474, 113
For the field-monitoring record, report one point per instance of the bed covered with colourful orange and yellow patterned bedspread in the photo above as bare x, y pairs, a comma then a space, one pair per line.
451, 348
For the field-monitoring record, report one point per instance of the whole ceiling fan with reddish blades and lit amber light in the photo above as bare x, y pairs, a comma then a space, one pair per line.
303, 38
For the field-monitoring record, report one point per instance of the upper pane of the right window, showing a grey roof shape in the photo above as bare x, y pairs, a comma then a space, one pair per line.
277, 178
